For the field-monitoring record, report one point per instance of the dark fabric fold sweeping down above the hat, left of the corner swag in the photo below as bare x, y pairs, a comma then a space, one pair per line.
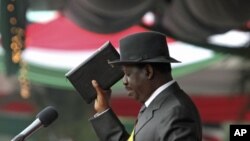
180, 21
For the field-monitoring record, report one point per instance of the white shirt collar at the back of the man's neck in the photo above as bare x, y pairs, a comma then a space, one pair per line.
157, 92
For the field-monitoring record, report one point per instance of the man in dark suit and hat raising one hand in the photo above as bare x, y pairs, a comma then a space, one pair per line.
168, 113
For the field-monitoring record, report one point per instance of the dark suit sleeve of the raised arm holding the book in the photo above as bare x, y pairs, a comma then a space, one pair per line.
109, 128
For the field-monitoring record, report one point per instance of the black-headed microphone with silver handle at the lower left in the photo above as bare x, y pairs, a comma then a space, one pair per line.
43, 119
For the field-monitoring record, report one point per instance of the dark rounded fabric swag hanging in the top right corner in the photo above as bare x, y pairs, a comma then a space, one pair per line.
221, 13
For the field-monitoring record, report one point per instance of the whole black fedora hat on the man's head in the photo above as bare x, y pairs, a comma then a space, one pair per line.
144, 47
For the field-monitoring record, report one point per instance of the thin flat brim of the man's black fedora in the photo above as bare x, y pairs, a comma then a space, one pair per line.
153, 60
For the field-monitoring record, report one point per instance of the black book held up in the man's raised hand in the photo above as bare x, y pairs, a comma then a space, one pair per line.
96, 67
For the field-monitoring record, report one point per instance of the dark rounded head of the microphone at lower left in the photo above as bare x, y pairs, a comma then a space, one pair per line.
47, 115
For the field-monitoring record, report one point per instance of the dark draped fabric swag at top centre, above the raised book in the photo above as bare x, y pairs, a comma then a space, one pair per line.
106, 16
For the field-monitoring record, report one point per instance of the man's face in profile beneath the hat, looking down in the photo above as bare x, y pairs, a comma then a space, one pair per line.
136, 82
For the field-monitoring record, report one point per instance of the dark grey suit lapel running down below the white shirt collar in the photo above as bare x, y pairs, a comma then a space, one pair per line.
148, 114
